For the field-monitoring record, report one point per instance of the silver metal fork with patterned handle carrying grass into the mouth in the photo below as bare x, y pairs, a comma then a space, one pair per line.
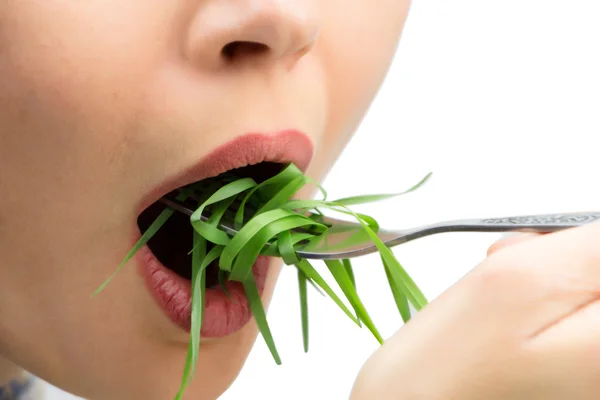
348, 239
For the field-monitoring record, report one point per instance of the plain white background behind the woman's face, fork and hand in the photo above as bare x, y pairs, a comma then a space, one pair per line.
501, 100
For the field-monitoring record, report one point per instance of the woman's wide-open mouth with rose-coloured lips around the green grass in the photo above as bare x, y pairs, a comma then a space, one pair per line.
165, 262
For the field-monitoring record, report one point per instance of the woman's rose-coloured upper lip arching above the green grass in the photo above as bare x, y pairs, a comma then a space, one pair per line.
284, 147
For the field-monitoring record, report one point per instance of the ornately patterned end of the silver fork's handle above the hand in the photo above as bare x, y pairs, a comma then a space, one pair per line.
543, 223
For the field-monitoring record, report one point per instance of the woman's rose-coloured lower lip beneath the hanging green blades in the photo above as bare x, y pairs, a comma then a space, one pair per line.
223, 316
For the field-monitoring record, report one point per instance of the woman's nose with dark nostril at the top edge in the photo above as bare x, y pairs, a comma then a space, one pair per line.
250, 31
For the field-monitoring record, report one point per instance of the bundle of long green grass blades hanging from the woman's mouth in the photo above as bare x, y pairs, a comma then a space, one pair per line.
272, 230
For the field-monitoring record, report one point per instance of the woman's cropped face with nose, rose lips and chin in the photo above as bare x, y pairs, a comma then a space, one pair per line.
106, 105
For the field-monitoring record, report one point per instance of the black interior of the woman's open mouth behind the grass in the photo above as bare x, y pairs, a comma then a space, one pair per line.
172, 243
